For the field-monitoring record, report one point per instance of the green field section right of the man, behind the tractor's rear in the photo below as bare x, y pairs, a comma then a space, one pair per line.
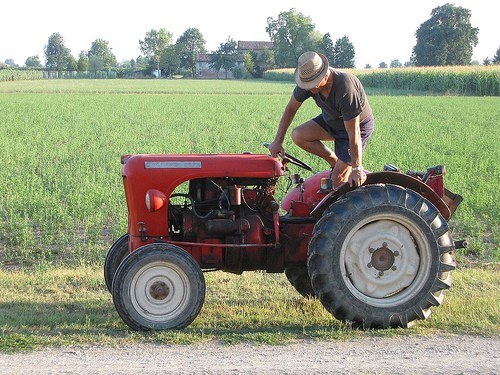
459, 132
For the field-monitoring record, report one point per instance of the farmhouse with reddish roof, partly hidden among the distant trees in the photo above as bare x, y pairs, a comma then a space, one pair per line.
203, 61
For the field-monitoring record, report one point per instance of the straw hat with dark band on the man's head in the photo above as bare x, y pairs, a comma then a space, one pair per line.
311, 69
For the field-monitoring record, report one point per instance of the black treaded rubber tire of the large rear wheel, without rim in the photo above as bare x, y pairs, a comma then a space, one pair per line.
324, 246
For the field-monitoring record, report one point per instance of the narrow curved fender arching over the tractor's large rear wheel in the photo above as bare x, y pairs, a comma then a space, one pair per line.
393, 178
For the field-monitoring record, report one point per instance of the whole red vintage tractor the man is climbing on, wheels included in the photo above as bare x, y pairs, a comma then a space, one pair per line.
377, 256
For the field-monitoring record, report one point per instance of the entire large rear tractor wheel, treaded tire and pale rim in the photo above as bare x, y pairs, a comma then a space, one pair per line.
381, 257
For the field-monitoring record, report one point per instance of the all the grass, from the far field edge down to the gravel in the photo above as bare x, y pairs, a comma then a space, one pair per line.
62, 202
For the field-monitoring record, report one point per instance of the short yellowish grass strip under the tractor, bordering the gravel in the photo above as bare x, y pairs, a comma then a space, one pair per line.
60, 307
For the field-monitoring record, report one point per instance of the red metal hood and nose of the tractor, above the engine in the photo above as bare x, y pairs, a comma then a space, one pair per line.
145, 173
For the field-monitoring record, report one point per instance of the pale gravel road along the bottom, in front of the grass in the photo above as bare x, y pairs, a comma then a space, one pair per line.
399, 355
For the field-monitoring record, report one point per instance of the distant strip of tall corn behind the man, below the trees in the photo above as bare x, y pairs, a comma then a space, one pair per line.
464, 80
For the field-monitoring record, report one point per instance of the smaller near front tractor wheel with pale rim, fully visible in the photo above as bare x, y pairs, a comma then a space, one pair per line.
158, 287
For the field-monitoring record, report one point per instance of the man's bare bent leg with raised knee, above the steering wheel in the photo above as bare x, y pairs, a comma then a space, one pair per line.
309, 135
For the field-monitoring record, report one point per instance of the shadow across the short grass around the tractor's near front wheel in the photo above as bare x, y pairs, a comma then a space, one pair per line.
26, 326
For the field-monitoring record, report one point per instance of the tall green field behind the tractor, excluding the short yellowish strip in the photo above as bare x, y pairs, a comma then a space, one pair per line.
61, 197
